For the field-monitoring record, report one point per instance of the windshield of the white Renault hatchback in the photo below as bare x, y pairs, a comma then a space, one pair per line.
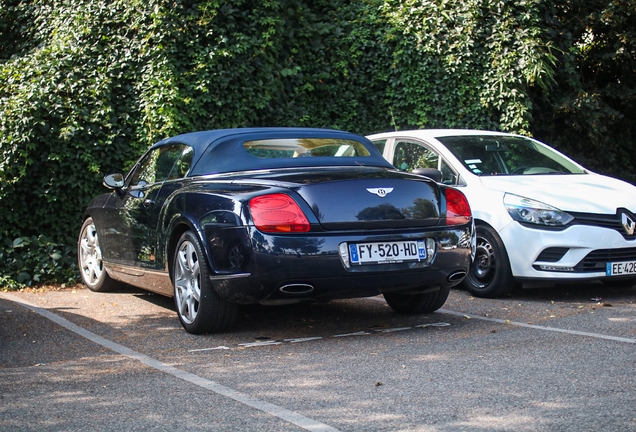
507, 155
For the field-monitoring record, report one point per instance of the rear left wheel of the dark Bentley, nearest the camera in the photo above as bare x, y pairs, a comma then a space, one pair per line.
199, 307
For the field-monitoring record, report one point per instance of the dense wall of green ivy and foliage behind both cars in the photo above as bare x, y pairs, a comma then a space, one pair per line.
87, 85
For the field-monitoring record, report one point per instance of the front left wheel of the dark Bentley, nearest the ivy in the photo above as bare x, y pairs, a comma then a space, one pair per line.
89, 260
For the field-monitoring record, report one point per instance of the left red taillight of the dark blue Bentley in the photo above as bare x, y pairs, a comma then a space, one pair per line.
278, 213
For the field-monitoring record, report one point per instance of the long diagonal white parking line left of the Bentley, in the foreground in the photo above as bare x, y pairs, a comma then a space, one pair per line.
280, 412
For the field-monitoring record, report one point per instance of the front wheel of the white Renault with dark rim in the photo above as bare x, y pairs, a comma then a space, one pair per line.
489, 275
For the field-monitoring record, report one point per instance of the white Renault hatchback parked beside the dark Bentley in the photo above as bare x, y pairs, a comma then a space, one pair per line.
540, 216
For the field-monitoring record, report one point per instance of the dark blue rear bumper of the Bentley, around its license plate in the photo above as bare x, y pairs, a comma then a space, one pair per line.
288, 268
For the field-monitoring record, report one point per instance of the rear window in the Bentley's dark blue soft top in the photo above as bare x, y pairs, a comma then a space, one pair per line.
305, 147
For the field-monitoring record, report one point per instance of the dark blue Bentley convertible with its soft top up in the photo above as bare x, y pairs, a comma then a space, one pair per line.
274, 215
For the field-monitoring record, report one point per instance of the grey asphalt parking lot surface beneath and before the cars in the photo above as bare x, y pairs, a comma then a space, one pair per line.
550, 359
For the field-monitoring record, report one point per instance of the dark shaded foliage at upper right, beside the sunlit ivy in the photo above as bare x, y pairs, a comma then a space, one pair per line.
590, 112
